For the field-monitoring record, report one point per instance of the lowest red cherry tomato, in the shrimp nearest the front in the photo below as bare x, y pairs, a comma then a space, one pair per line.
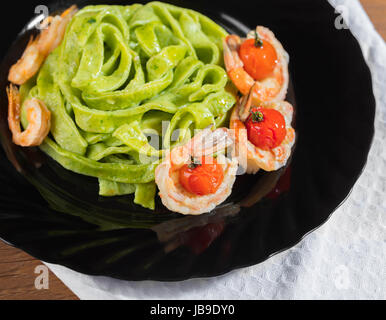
202, 178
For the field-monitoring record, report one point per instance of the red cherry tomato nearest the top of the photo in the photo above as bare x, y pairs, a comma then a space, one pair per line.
259, 61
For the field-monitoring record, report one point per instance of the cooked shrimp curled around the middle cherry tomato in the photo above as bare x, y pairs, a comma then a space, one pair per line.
253, 157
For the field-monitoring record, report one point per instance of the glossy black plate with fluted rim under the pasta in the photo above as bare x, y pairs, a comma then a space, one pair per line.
57, 216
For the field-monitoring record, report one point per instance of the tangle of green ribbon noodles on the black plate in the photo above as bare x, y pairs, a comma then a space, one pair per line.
121, 71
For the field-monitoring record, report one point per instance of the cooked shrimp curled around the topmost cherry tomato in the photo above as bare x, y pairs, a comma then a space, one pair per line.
273, 86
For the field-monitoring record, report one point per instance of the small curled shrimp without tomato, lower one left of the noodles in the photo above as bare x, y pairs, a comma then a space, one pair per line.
39, 119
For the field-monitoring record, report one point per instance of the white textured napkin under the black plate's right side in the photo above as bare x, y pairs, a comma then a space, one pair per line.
343, 259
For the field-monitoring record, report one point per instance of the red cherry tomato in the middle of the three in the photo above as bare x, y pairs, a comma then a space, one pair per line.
265, 128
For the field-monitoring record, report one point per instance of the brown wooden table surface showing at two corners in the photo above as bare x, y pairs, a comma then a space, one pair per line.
17, 269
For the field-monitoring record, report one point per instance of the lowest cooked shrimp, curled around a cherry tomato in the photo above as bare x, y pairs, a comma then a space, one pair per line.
173, 190
